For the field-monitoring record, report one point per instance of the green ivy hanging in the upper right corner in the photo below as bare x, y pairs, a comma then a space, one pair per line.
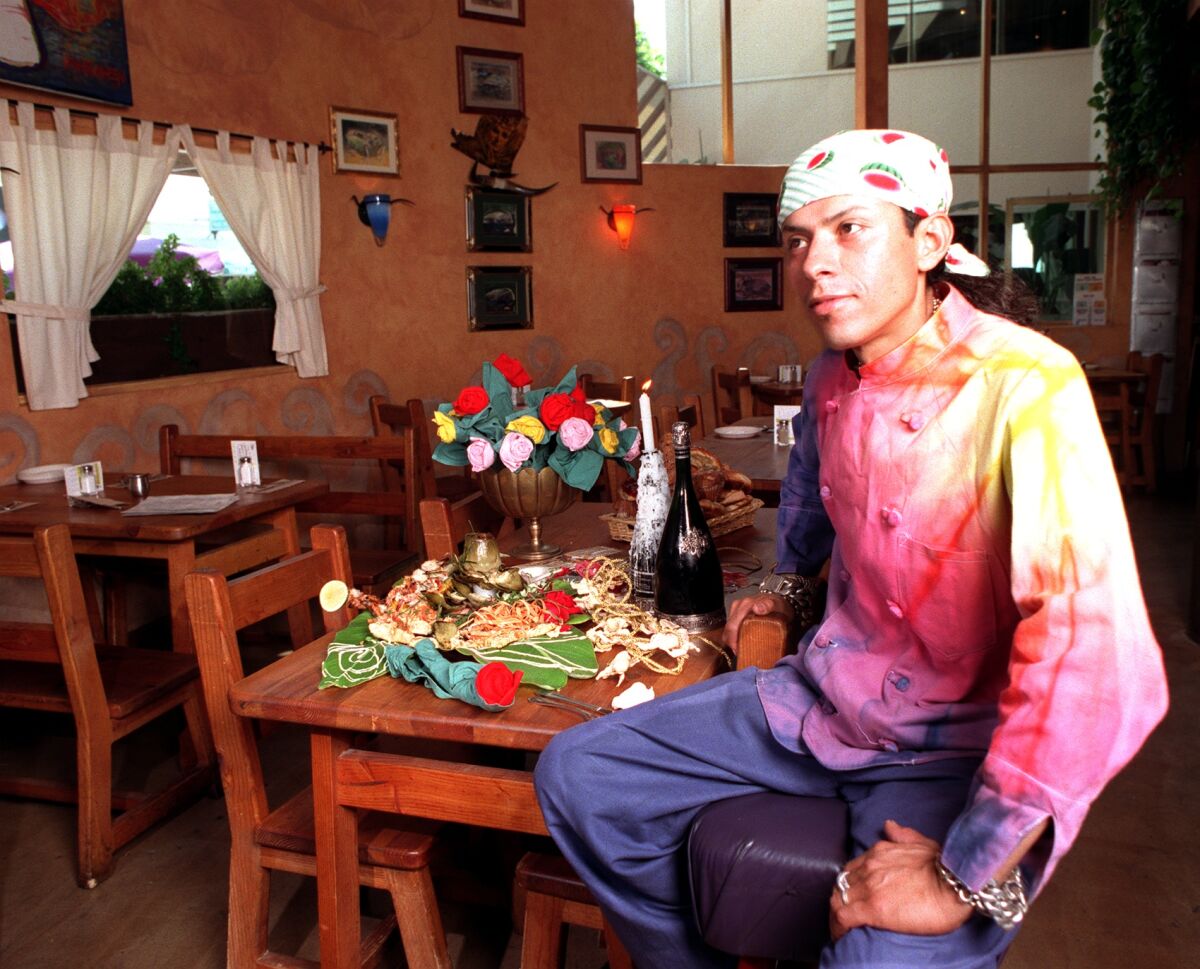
1143, 98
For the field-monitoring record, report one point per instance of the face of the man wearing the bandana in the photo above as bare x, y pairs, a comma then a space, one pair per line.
857, 272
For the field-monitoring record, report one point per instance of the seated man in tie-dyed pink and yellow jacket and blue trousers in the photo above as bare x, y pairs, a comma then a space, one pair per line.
986, 664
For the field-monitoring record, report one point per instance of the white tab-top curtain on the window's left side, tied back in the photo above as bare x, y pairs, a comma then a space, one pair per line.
75, 212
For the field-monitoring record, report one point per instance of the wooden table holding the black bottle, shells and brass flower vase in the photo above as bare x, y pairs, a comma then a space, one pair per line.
287, 691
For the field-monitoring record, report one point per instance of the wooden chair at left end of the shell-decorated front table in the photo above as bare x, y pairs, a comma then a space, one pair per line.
393, 856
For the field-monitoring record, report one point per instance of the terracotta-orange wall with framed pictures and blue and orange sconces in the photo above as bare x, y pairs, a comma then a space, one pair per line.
397, 317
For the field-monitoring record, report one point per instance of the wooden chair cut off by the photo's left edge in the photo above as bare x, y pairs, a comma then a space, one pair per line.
110, 691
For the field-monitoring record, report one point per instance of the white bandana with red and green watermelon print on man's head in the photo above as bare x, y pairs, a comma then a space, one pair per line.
895, 166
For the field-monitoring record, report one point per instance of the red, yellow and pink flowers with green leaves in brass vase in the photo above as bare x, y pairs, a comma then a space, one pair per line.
556, 428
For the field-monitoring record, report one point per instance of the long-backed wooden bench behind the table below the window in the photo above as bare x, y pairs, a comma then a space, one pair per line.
374, 569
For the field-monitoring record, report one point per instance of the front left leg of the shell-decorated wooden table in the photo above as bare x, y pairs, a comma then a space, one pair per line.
337, 832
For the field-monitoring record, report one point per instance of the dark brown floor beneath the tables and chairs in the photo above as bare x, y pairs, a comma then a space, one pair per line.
1127, 896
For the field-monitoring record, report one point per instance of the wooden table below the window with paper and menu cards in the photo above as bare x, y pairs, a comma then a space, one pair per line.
171, 538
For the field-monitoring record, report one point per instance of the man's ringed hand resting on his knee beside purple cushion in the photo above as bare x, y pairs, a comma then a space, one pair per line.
896, 887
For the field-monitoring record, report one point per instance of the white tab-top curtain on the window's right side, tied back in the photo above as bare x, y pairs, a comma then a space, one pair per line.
273, 206
